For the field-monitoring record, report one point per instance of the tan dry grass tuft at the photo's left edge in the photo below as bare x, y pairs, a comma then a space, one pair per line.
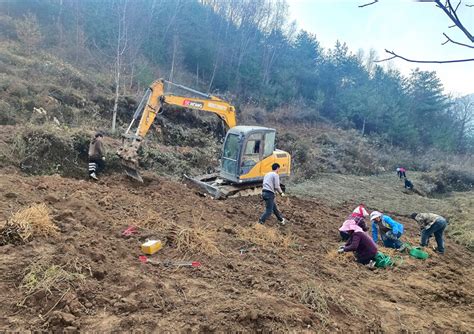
27, 223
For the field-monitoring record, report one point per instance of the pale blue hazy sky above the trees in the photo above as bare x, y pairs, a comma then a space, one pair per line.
412, 29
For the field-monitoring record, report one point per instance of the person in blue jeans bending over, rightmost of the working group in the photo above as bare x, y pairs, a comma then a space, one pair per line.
431, 223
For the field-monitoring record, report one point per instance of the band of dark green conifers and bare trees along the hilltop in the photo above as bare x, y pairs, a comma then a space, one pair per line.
250, 49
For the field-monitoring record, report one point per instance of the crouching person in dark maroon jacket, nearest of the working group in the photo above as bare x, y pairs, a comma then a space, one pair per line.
359, 242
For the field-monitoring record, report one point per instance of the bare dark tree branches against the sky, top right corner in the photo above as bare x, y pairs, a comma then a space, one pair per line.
451, 11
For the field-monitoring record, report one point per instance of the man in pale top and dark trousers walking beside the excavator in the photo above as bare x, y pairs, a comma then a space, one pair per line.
271, 185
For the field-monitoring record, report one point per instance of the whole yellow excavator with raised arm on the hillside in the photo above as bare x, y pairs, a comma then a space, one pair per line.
248, 151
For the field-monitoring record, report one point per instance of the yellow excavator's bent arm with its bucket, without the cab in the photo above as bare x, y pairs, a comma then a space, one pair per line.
152, 104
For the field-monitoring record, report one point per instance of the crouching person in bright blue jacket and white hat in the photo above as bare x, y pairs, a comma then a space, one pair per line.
390, 230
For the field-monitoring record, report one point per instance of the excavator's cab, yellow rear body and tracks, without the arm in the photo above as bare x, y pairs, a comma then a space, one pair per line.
248, 154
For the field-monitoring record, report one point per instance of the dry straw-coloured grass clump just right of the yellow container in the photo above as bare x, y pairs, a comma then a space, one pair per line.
195, 239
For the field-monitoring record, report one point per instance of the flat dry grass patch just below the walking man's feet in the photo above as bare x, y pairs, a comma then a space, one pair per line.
264, 236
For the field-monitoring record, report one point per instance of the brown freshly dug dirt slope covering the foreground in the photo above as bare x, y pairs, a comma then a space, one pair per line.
297, 283
